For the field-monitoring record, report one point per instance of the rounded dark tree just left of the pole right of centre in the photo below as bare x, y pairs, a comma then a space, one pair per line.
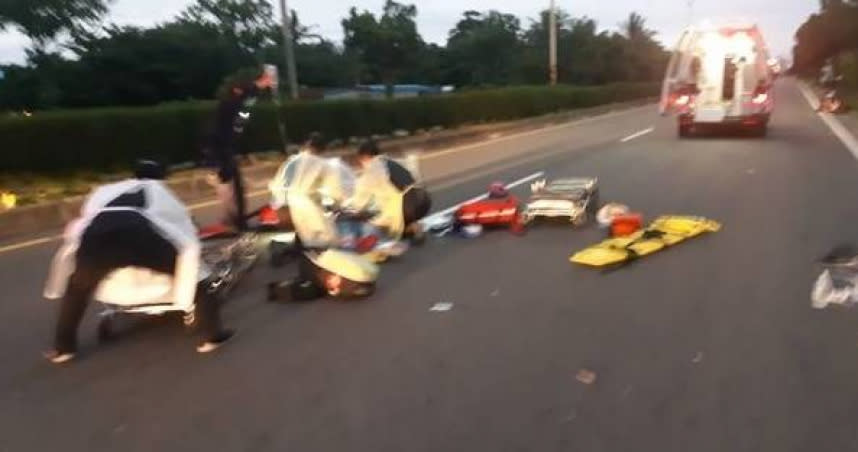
483, 49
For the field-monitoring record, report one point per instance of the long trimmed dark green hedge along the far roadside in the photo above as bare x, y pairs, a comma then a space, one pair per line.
112, 138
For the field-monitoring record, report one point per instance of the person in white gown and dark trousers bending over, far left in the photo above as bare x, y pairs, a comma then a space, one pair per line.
137, 223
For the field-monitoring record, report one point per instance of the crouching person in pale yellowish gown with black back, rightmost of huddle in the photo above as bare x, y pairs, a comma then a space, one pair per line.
392, 190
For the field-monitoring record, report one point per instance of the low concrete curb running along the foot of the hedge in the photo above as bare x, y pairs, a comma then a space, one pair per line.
192, 186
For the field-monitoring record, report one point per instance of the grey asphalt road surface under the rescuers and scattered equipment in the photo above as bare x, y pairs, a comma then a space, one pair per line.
708, 346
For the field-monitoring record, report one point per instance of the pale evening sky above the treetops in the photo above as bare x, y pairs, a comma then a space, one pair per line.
777, 18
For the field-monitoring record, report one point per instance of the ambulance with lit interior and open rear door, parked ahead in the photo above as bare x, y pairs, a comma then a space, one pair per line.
719, 76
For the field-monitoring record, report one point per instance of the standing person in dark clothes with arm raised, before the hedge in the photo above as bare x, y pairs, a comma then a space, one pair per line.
229, 122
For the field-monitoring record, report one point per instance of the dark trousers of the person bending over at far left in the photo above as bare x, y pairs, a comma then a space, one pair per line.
115, 240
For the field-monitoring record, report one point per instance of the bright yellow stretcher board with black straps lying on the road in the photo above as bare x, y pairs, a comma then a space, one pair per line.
664, 232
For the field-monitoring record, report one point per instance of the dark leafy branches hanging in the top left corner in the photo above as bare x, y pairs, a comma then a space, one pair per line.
43, 20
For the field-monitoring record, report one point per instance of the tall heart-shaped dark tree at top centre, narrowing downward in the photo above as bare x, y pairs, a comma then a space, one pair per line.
385, 46
